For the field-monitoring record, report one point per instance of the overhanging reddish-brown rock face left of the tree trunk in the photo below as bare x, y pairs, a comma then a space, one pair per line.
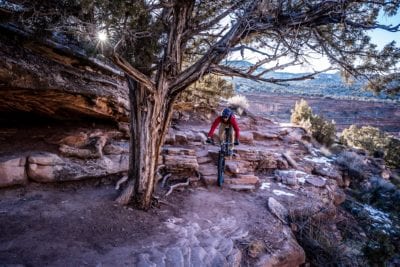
46, 80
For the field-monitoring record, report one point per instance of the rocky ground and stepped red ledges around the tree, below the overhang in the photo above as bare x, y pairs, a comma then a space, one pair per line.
281, 201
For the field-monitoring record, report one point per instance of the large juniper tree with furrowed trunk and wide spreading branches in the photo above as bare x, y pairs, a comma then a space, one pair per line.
163, 46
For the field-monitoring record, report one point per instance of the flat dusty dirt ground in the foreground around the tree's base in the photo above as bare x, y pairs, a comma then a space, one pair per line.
75, 224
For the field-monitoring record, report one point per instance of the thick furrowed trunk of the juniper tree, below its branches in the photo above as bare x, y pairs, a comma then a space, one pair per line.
150, 117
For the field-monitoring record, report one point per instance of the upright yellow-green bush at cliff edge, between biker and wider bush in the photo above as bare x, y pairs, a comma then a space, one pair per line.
323, 131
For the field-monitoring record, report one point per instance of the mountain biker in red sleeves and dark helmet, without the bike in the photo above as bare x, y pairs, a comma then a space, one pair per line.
227, 120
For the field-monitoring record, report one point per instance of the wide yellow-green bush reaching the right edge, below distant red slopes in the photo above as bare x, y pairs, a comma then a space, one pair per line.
373, 140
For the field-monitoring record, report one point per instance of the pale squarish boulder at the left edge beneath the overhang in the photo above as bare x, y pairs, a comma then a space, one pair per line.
12, 171
